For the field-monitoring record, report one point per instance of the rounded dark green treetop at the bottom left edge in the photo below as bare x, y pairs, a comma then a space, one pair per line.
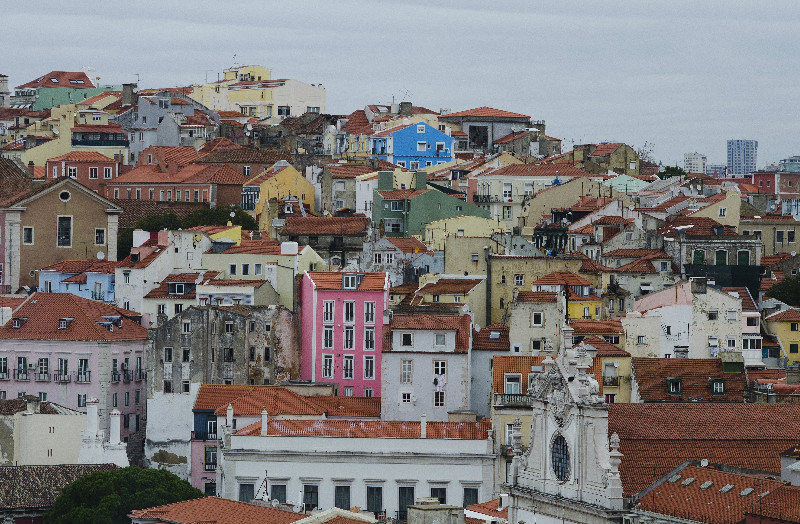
107, 497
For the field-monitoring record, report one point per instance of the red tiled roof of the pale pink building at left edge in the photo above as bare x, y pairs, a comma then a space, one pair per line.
41, 313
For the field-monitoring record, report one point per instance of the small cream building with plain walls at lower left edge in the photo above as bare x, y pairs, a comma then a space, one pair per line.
33, 432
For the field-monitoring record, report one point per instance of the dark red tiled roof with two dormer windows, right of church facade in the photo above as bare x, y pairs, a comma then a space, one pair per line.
695, 375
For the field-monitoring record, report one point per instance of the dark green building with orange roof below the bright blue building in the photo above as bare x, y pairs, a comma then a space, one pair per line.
406, 211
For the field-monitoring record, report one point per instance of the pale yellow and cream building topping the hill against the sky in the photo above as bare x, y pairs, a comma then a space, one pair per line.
251, 91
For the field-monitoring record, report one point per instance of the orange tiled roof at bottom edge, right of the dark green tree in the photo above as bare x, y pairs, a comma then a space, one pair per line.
216, 510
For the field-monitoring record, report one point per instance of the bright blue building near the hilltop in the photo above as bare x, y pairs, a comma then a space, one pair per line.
413, 146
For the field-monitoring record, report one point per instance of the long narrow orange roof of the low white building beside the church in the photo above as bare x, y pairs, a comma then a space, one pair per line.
371, 429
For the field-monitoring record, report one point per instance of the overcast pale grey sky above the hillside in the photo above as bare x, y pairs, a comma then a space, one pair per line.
682, 75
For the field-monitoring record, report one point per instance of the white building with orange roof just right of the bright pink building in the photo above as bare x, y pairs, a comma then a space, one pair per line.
426, 367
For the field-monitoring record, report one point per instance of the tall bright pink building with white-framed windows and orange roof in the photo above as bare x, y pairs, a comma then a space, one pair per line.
342, 322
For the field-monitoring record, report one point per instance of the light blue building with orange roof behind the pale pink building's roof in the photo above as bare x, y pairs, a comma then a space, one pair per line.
92, 279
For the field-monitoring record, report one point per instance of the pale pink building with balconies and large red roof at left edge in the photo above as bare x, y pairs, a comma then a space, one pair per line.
67, 349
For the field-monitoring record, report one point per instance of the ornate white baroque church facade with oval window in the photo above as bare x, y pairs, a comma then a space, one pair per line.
570, 471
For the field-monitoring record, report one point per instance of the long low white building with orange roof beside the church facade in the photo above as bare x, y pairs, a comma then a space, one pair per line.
381, 466
